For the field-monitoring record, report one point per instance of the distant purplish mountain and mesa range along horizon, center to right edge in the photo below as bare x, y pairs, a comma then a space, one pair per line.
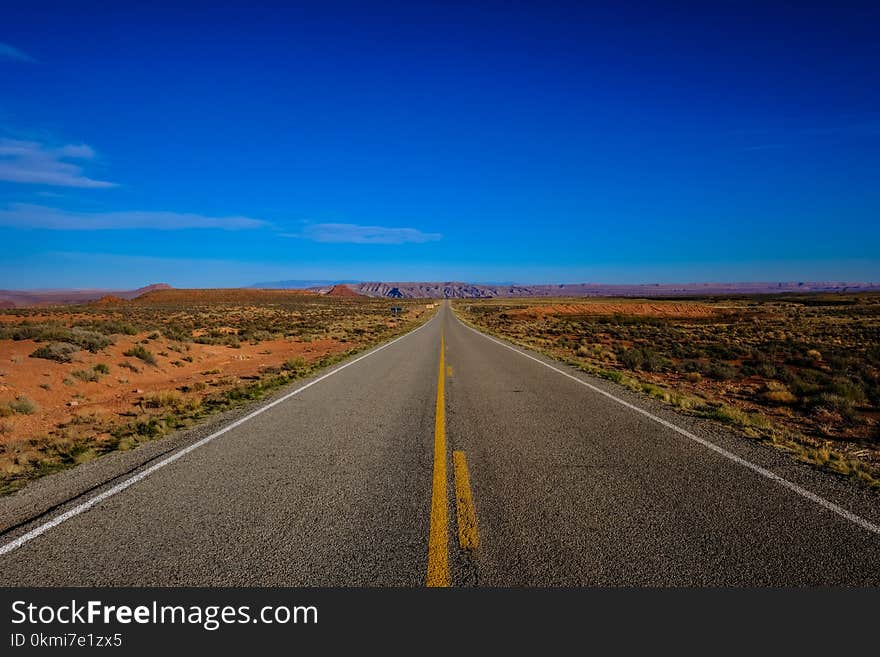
459, 290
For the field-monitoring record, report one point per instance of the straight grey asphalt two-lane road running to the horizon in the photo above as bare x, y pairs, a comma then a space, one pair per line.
485, 466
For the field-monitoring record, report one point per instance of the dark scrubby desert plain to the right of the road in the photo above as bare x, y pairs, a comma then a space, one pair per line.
801, 372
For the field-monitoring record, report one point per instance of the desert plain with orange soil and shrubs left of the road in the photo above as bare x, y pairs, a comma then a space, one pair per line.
78, 381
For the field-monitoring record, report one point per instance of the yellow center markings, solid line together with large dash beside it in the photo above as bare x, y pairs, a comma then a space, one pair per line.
438, 538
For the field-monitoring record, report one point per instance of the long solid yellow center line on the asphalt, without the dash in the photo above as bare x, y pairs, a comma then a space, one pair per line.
438, 539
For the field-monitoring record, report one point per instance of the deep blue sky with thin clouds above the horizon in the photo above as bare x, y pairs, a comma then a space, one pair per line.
528, 142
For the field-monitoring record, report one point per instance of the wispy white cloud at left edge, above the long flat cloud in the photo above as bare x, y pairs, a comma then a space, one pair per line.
31, 162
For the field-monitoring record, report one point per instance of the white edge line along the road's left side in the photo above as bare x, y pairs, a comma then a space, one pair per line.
118, 488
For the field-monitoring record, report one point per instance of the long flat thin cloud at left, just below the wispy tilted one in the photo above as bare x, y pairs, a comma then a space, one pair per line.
25, 215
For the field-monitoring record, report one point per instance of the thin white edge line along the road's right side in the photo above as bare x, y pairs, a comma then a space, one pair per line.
800, 490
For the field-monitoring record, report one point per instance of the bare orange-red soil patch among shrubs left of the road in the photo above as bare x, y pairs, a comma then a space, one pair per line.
122, 389
